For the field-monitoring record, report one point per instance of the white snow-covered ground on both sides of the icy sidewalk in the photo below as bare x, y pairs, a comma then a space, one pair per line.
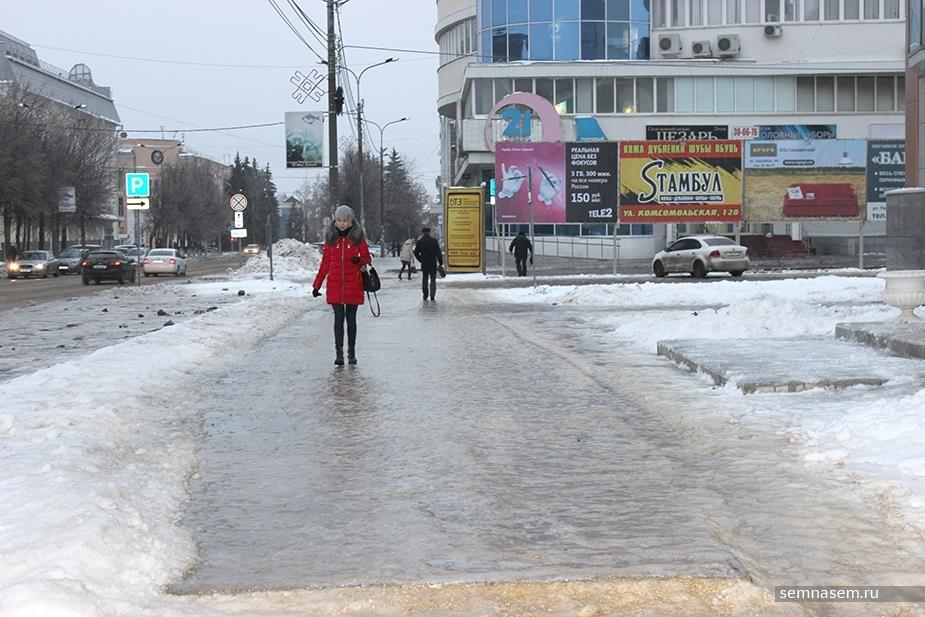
97, 442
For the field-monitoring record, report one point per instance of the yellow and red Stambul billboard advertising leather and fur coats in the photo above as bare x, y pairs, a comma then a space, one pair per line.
680, 182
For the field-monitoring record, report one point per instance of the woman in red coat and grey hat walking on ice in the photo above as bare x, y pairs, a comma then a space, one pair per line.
345, 253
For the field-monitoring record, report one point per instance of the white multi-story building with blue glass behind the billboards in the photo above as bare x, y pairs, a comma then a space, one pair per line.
631, 69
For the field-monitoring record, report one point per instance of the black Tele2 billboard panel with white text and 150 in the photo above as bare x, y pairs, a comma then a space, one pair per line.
591, 180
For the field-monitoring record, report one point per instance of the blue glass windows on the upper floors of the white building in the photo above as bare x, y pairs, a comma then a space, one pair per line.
516, 30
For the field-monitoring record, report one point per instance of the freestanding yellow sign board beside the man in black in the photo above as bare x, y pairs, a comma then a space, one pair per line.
464, 229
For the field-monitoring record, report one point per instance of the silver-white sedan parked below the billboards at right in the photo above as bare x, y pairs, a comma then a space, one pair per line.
697, 255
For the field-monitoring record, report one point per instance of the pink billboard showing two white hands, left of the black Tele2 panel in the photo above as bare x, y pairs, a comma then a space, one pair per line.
524, 170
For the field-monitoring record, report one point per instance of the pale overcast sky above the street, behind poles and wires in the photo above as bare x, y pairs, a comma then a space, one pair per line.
178, 93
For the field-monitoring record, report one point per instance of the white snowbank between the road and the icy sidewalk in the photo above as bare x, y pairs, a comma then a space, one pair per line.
96, 466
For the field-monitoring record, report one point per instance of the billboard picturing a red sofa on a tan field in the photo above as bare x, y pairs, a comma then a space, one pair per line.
805, 179
